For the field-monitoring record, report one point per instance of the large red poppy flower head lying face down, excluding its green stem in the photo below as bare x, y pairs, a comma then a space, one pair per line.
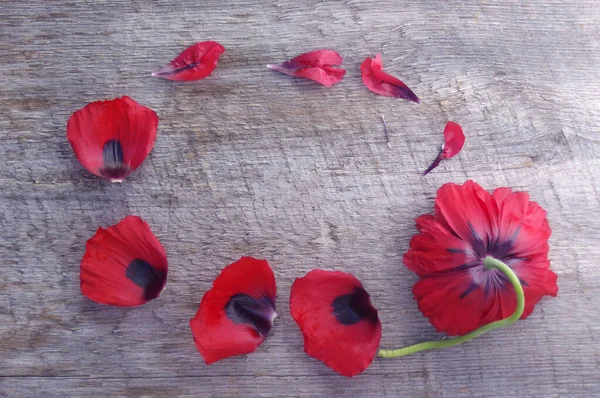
455, 291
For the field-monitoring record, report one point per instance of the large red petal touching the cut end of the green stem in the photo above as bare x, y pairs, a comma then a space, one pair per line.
339, 324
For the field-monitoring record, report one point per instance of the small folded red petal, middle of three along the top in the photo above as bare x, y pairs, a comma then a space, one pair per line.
320, 66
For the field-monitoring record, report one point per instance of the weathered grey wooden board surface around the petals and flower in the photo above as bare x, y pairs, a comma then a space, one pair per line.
252, 162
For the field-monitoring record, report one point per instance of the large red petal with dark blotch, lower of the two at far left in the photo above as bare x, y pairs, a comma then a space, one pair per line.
124, 265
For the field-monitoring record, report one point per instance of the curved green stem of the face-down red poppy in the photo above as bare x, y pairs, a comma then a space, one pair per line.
489, 263
